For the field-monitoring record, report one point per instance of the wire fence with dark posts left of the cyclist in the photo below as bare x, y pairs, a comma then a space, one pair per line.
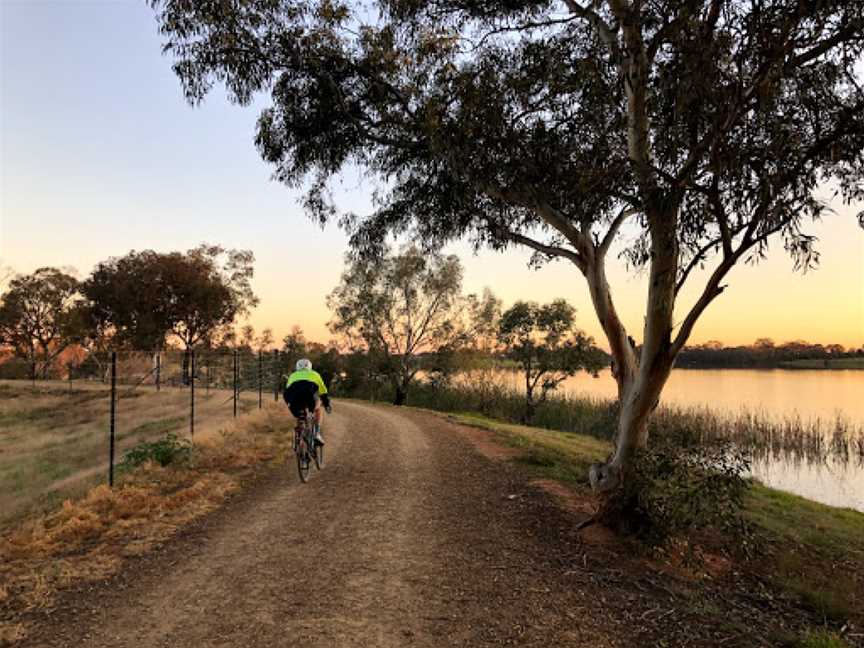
61, 434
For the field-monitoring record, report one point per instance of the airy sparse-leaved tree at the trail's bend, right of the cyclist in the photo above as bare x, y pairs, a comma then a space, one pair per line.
397, 308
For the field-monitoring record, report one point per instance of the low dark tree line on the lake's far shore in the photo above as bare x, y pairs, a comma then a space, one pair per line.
763, 353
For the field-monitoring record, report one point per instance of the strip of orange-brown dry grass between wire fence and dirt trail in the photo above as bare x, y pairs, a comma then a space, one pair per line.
88, 538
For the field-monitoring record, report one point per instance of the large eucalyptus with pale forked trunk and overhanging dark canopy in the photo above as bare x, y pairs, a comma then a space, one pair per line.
701, 129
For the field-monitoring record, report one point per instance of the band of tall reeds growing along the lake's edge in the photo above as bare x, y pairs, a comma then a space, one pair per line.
790, 439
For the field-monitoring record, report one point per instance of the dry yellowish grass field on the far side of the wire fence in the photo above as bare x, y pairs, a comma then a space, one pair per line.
54, 439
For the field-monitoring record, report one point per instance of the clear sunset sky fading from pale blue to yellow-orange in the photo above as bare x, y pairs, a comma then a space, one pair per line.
100, 154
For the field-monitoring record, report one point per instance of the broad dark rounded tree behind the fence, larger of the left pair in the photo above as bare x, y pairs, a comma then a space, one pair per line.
145, 296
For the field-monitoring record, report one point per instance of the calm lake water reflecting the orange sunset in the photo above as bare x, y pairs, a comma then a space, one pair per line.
776, 393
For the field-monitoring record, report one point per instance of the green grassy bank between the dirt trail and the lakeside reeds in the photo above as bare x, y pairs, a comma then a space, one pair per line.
809, 553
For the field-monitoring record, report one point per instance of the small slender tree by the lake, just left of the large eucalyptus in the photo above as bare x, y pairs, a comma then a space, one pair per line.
545, 342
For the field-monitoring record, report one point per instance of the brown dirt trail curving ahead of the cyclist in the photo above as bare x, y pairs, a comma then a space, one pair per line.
408, 537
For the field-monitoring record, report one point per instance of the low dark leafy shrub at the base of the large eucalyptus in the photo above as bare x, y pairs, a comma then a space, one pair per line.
682, 484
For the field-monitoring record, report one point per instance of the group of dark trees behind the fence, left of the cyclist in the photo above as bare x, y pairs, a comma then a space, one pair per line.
144, 301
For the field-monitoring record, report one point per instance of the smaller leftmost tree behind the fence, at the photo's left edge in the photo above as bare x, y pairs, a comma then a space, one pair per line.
37, 316
